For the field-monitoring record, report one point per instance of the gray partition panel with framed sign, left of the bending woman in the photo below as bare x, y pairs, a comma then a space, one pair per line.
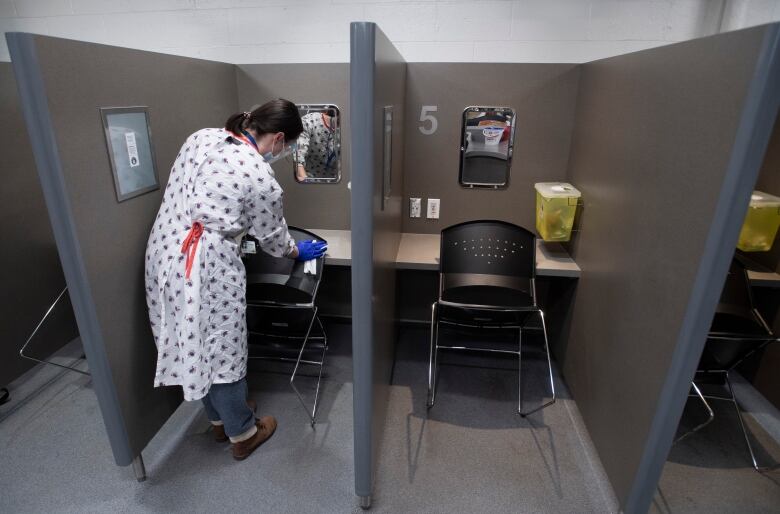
102, 242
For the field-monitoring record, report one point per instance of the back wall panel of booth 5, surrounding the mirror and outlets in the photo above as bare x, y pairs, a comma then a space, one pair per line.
544, 97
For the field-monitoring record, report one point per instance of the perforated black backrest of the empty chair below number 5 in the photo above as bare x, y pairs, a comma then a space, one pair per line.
488, 247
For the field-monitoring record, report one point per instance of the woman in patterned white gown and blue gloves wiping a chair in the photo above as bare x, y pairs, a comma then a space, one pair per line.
220, 187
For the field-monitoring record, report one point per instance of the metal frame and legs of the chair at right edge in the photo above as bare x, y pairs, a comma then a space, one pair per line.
731, 396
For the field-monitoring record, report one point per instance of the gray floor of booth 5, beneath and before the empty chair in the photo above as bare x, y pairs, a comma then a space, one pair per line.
471, 452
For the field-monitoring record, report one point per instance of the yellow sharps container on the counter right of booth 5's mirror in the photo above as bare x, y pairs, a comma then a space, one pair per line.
556, 205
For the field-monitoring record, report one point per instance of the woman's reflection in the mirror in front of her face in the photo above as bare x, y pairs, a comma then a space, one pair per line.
317, 153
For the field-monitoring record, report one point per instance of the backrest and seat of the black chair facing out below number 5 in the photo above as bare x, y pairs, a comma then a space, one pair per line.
487, 262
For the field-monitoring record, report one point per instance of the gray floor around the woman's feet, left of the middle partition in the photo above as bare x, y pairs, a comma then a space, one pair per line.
56, 458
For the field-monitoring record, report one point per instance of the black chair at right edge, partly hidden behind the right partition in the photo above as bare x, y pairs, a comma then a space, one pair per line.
737, 332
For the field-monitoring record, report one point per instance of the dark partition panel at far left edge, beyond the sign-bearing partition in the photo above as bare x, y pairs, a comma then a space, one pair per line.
31, 272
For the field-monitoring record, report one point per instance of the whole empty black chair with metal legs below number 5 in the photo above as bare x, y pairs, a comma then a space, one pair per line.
486, 280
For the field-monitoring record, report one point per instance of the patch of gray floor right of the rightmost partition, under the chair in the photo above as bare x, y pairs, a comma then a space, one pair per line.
711, 472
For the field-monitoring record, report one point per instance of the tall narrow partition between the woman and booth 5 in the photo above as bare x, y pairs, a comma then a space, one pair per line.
377, 79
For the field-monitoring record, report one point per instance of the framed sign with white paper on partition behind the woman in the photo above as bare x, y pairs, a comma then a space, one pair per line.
129, 142
